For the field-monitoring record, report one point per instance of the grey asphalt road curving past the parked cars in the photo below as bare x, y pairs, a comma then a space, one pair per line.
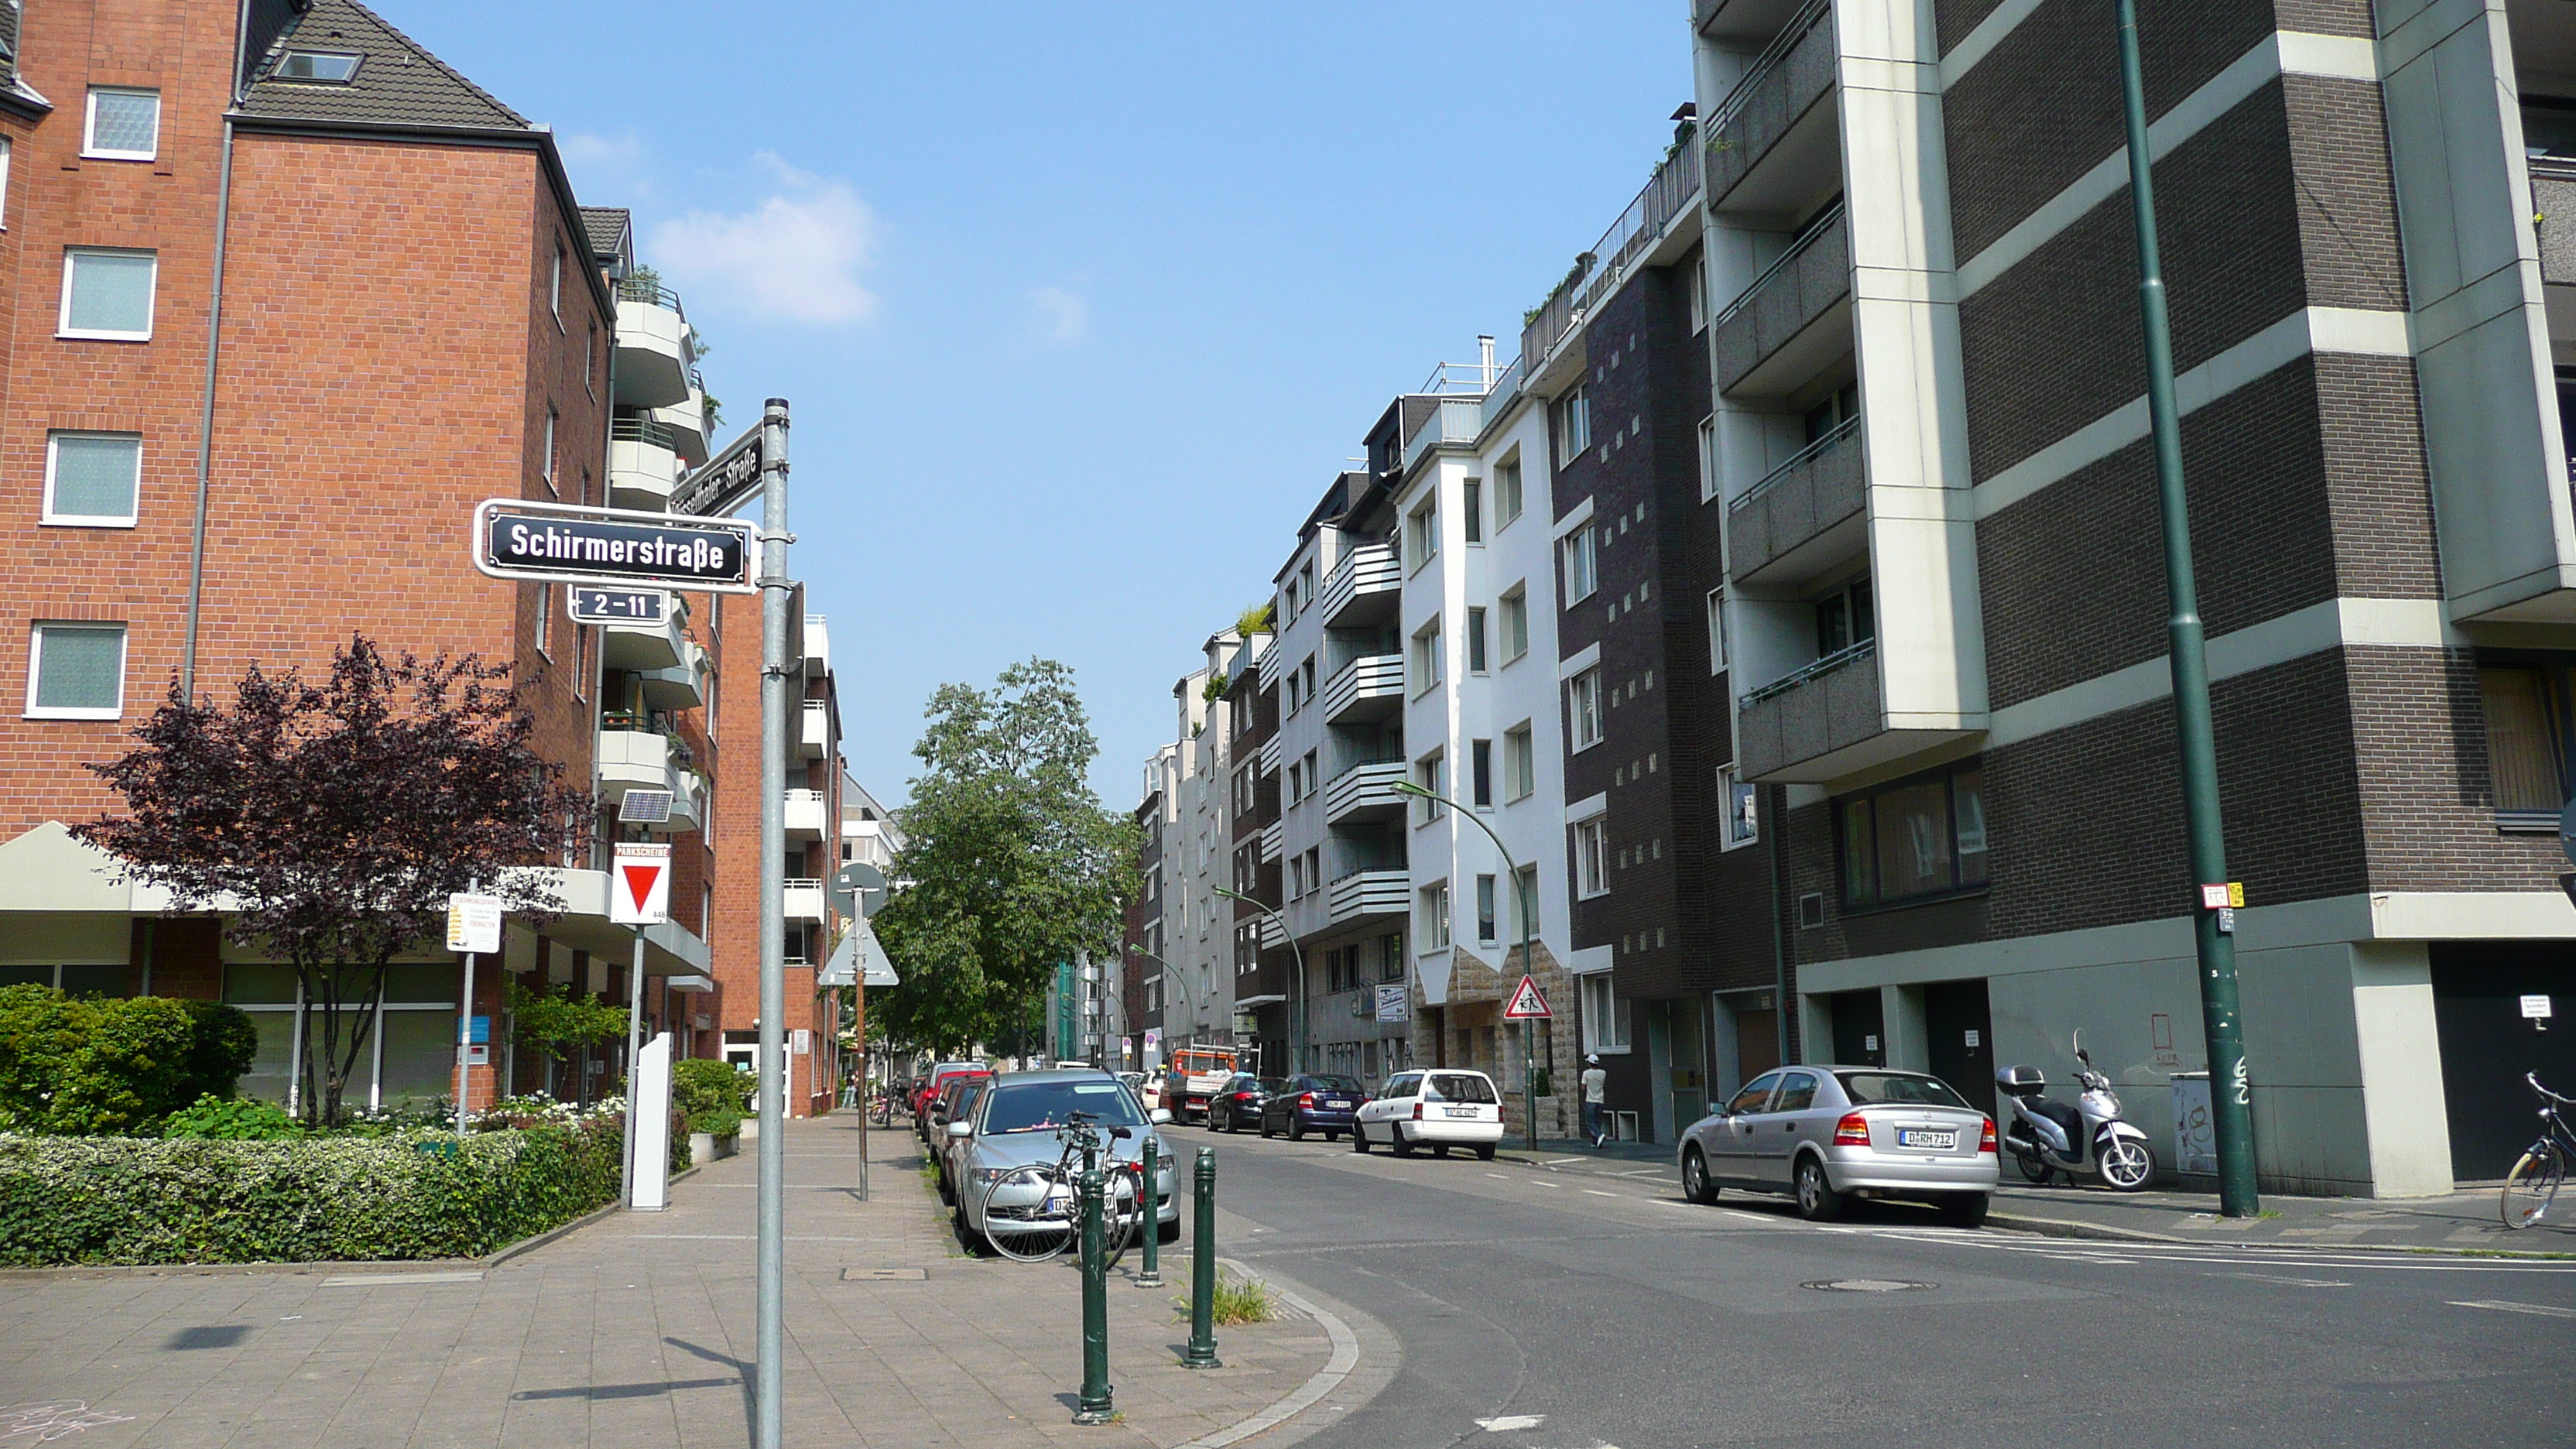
1596, 1308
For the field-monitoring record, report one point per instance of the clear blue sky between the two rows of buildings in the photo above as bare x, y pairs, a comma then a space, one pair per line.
1081, 308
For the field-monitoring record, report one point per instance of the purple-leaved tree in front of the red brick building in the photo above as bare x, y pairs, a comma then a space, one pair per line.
331, 824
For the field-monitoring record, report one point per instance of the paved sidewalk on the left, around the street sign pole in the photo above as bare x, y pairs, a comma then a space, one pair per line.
635, 1332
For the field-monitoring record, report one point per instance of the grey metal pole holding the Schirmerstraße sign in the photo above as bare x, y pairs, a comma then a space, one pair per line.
774, 862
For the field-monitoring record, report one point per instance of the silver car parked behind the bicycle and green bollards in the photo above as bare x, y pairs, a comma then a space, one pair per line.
1019, 1123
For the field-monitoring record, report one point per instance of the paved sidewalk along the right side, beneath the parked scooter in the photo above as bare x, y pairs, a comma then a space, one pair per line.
2454, 1223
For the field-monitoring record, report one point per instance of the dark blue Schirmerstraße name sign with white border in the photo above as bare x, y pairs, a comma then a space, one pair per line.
565, 543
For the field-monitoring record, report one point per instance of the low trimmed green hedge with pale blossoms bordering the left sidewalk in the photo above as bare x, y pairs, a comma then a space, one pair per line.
130, 1200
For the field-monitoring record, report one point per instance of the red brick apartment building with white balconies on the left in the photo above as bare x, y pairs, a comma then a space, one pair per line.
413, 316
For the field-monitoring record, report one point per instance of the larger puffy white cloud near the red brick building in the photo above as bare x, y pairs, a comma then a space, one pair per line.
795, 257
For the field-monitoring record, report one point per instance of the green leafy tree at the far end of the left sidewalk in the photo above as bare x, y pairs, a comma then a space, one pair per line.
1011, 862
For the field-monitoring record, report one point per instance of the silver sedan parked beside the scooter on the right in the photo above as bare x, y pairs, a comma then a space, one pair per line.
1830, 1133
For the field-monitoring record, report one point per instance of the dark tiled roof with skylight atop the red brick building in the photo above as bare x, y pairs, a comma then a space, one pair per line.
401, 84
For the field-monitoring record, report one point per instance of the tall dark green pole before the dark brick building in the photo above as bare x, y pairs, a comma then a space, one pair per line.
2232, 1110
